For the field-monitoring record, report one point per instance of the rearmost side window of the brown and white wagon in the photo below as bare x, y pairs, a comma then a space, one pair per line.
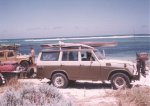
50, 56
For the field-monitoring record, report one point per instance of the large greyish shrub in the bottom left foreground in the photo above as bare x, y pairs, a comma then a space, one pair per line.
33, 95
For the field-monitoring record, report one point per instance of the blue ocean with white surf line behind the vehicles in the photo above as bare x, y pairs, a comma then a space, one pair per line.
128, 45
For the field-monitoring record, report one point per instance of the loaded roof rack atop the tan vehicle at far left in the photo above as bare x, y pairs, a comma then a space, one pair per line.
9, 46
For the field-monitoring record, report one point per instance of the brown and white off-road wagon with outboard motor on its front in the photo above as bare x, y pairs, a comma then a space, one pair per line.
66, 62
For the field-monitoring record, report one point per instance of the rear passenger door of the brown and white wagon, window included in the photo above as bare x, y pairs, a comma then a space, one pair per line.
70, 64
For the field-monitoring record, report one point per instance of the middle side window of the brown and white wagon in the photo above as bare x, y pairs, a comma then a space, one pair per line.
70, 56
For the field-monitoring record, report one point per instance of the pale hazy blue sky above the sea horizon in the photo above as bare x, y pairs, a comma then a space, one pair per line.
57, 18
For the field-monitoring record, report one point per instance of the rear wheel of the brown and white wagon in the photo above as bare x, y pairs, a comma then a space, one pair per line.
59, 80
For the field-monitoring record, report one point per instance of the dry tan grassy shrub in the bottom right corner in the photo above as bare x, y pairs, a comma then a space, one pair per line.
137, 96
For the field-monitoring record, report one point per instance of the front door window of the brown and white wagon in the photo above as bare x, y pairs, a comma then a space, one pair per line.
87, 56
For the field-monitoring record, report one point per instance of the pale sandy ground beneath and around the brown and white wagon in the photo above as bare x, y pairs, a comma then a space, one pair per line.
90, 93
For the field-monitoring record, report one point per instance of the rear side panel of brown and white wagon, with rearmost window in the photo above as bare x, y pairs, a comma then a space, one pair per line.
49, 62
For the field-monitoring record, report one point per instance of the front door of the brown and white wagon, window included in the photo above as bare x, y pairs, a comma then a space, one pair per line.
89, 66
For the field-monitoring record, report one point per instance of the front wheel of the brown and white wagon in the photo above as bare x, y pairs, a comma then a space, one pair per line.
120, 81
